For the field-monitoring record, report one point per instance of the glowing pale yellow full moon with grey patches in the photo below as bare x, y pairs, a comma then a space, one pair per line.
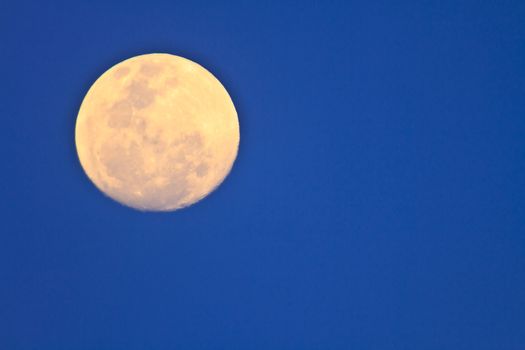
157, 132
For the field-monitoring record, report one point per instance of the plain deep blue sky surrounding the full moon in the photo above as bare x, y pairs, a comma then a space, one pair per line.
378, 200
